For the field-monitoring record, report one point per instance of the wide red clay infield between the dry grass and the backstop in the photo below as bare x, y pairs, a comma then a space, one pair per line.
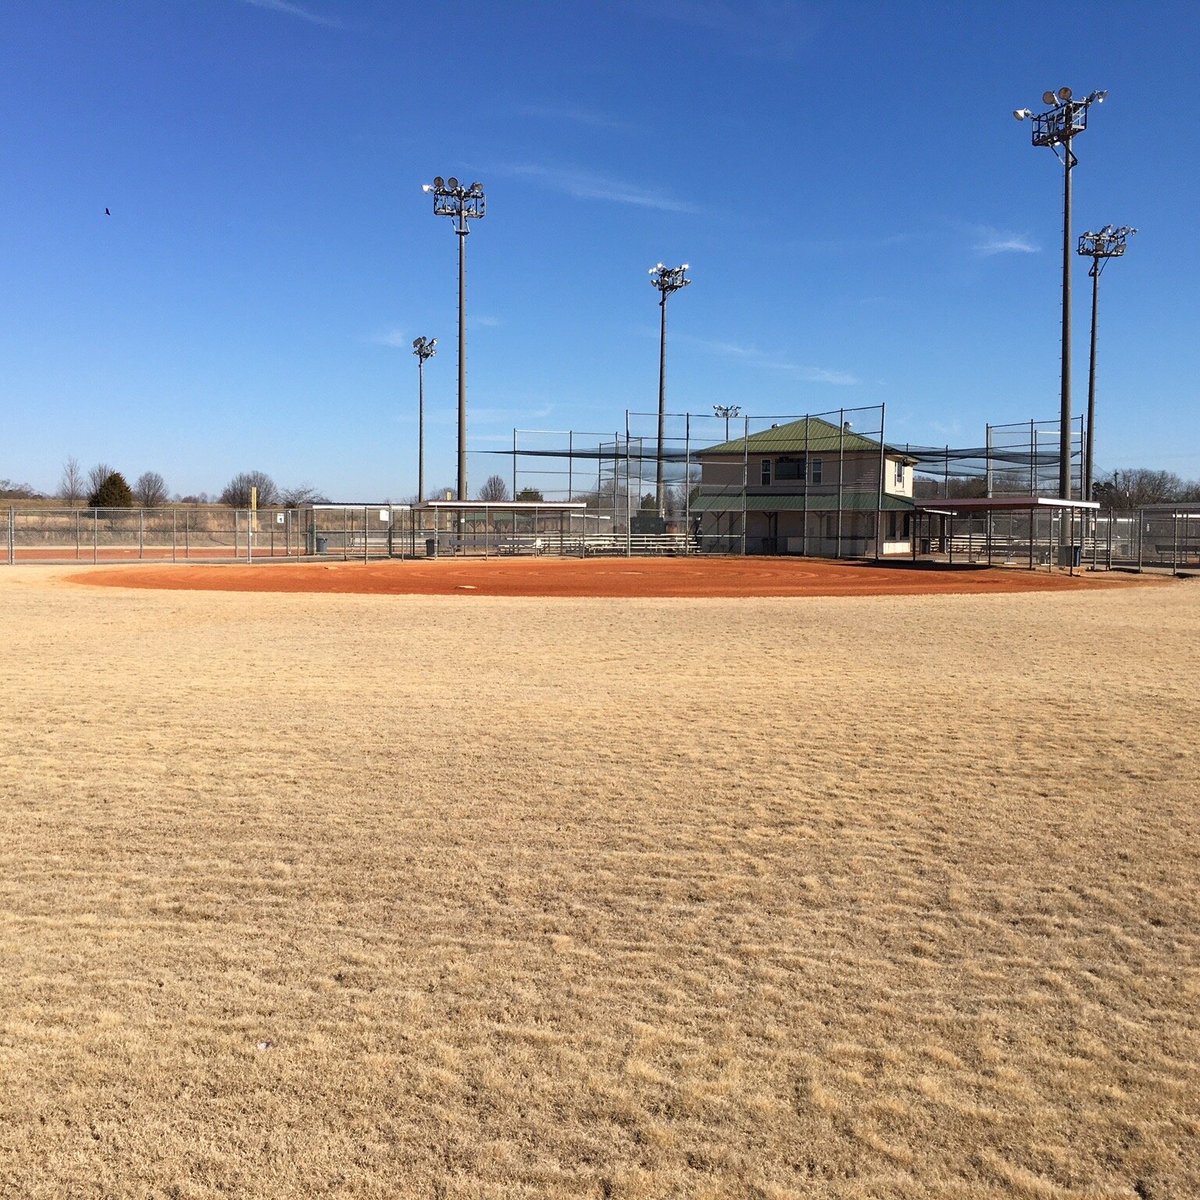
604, 578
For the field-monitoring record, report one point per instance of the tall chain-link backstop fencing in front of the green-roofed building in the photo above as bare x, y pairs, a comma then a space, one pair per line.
823, 484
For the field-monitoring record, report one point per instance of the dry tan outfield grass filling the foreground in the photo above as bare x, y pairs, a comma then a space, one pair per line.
880, 898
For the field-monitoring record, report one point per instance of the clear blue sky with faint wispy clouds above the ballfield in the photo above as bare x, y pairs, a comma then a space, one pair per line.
865, 220
